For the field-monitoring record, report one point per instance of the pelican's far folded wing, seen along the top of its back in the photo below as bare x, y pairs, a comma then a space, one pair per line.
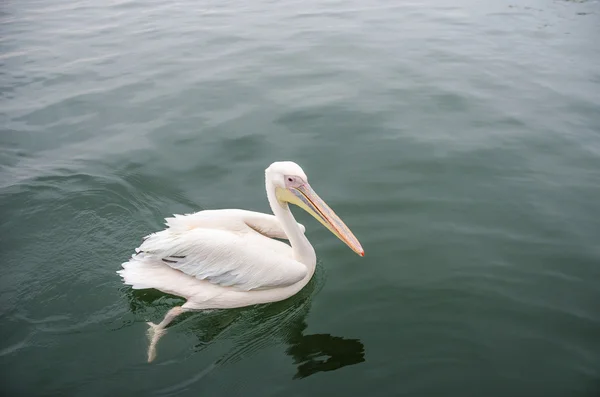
232, 220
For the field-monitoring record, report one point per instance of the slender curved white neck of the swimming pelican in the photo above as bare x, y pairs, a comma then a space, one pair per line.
303, 250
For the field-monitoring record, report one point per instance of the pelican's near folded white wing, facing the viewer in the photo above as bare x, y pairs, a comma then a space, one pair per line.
242, 259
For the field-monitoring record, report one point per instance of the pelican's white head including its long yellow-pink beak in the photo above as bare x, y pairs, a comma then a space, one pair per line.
291, 186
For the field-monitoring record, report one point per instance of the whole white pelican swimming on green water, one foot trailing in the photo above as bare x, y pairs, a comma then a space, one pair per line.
229, 258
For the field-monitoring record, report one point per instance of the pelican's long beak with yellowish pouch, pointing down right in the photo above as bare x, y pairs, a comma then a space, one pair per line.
305, 197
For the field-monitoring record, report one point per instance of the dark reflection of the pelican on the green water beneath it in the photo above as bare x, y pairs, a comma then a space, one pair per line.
255, 328
